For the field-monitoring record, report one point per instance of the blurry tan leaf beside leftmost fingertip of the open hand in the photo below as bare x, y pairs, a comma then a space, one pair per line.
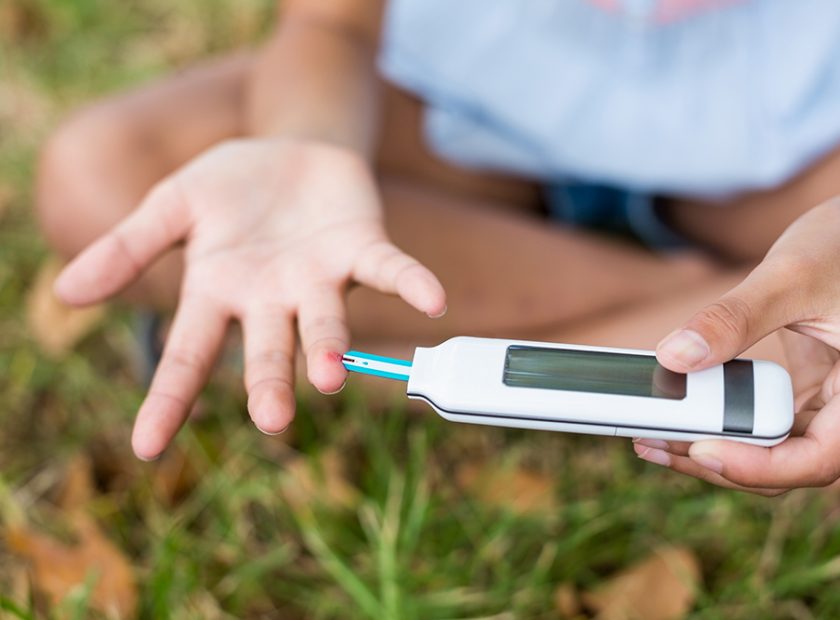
56, 327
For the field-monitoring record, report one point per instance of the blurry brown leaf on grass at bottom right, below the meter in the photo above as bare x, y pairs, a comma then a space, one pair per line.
660, 587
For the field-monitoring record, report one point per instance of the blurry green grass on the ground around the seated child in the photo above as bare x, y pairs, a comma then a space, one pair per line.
224, 538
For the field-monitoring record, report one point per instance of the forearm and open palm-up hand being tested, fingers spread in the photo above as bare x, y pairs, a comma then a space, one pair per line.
274, 230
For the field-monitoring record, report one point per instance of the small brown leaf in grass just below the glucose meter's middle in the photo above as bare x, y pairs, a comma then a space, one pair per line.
516, 489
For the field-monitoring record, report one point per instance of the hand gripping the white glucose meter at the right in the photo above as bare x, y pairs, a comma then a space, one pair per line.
796, 286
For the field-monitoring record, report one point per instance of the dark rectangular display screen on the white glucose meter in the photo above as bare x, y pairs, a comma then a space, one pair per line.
599, 372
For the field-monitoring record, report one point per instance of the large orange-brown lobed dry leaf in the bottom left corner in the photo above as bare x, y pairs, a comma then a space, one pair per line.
57, 567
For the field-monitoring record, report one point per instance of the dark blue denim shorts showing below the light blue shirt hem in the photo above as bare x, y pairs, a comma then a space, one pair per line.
609, 209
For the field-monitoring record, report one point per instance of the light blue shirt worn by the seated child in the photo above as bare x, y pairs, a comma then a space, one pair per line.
736, 98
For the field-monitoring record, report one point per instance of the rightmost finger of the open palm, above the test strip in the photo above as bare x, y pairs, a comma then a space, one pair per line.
386, 268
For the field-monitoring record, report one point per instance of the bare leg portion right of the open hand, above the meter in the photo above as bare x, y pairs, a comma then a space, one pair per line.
510, 273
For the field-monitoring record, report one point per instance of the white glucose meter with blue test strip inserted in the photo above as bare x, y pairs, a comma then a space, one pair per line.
593, 390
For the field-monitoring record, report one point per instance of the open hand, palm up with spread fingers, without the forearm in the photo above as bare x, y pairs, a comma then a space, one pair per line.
274, 231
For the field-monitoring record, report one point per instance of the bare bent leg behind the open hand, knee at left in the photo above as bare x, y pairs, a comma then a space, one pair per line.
507, 271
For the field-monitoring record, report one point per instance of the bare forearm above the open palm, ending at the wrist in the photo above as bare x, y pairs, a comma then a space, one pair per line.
316, 78
